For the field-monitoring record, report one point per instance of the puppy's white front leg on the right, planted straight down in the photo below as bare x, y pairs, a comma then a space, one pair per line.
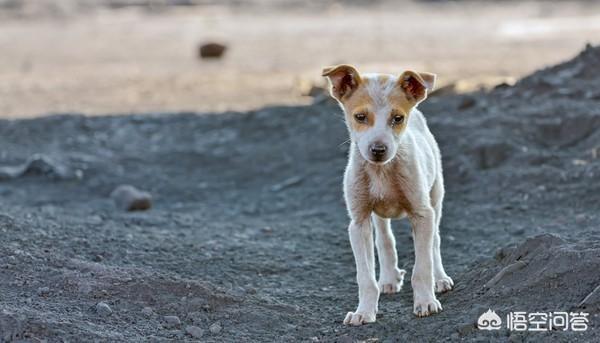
425, 302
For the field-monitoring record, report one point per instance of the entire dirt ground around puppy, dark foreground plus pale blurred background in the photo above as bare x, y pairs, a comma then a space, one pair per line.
247, 237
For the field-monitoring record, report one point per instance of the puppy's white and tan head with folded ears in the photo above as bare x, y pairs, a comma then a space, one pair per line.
377, 106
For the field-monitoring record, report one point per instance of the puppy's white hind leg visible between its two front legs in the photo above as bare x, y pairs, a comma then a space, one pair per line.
391, 277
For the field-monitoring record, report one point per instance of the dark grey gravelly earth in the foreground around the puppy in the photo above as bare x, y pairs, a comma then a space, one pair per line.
246, 238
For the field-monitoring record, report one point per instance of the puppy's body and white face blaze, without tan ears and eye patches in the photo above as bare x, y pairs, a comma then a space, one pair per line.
413, 169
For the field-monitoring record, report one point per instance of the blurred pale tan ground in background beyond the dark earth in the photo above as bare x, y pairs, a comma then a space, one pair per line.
131, 56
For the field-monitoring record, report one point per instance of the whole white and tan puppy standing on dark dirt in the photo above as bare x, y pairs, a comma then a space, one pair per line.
394, 170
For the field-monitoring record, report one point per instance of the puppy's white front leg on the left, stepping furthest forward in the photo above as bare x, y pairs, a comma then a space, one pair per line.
361, 239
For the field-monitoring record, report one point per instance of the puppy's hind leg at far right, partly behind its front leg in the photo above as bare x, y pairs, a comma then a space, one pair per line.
443, 282
